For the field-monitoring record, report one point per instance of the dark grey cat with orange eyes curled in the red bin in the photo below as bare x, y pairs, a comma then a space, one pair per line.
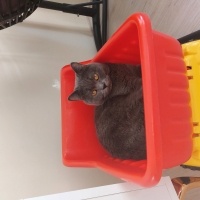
116, 91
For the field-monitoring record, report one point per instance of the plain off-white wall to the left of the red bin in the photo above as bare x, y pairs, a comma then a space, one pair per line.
31, 56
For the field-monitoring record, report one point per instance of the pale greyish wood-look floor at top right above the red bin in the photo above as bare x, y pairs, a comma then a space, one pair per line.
174, 17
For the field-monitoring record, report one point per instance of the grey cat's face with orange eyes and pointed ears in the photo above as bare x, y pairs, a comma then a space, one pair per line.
92, 83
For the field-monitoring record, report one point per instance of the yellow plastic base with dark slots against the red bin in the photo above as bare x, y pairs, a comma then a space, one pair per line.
191, 53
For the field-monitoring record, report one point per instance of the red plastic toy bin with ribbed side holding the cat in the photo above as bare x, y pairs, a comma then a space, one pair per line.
166, 103
